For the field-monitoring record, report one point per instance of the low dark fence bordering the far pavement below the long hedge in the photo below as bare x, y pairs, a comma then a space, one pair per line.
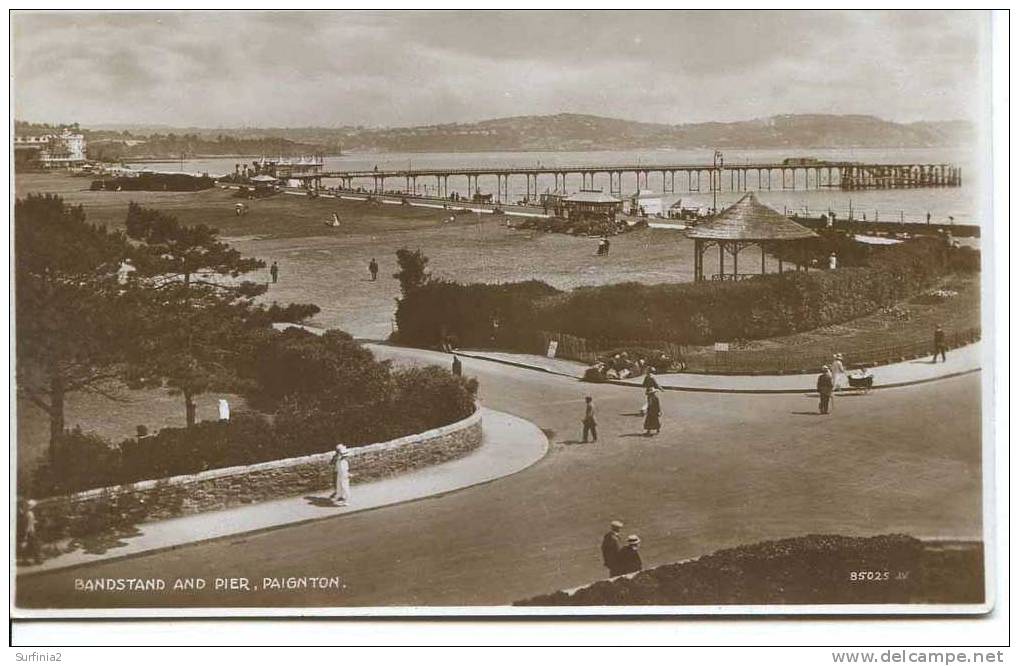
757, 362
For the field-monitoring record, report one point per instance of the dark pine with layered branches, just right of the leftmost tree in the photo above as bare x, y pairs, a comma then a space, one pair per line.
199, 315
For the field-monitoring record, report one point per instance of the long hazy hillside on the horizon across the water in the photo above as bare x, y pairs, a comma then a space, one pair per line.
565, 132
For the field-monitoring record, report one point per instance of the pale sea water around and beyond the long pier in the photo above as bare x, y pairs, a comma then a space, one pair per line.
964, 205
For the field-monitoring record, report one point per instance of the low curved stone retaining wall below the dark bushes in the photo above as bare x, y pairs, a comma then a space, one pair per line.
102, 510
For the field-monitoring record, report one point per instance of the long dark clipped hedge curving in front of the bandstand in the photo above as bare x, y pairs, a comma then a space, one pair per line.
512, 316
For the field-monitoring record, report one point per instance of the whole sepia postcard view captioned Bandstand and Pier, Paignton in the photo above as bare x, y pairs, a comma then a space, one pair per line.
517, 313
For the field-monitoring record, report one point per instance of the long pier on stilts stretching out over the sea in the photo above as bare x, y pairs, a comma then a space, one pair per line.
817, 175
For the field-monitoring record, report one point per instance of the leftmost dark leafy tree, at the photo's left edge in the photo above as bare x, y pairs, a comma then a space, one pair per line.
70, 310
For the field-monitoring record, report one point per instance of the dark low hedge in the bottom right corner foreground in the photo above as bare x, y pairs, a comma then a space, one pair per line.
813, 570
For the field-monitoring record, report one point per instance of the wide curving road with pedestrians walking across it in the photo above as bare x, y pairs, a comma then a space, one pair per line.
729, 469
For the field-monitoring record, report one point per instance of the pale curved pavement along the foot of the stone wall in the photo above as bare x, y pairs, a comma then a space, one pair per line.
509, 446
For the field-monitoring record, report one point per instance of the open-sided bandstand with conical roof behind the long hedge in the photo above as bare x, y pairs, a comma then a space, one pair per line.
747, 223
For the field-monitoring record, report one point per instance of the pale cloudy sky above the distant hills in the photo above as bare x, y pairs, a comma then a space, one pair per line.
400, 69
